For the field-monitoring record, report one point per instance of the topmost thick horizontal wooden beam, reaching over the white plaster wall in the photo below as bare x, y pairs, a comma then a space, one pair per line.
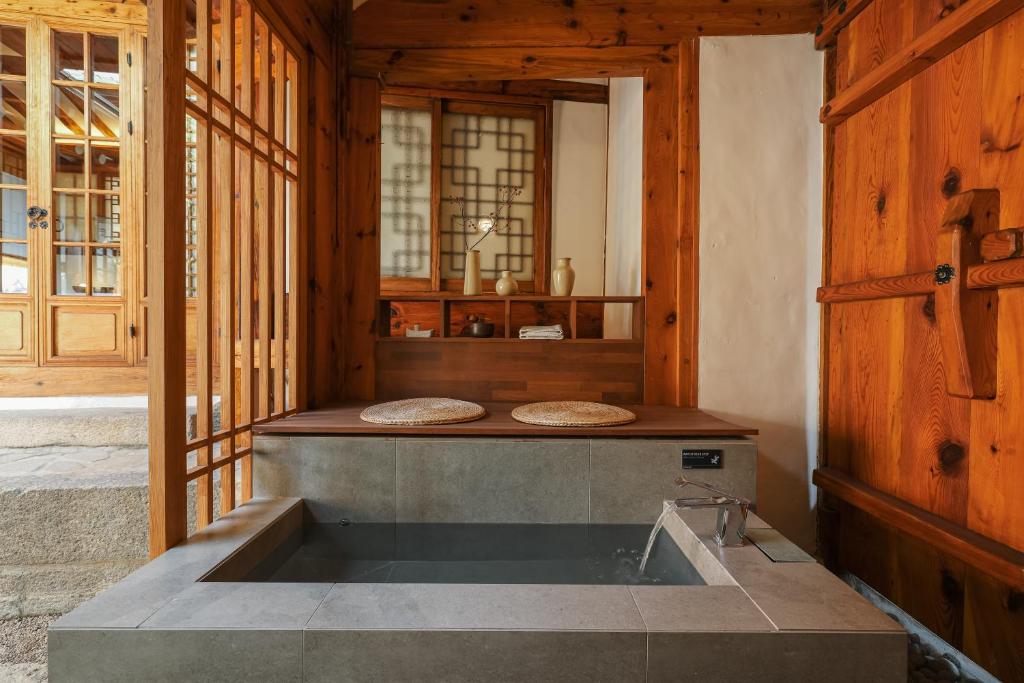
415, 24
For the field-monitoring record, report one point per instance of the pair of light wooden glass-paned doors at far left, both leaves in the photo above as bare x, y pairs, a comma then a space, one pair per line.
68, 251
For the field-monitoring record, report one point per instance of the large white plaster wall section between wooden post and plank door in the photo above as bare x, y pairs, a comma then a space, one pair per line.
761, 161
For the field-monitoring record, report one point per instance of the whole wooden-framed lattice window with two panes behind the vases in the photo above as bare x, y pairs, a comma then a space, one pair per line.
435, 148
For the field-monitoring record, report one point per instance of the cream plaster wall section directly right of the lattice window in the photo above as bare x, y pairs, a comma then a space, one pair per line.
578, 190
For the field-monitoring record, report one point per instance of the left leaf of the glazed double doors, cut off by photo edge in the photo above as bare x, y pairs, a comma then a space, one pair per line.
18, 248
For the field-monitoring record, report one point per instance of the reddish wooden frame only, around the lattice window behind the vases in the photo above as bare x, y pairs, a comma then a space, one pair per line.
439, 103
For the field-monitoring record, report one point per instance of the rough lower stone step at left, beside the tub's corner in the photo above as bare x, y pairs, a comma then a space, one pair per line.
75, 521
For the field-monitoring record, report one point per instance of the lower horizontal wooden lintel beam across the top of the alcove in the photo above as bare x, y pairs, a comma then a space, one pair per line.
514, 64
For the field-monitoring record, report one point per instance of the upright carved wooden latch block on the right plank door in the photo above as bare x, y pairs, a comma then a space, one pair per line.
968, 319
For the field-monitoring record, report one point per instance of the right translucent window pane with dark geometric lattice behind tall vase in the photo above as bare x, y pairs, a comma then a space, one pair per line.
484, 159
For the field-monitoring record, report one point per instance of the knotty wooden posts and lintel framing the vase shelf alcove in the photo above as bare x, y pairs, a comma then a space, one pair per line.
671, 163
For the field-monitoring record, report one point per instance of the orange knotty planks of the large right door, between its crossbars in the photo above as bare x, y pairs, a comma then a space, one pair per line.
888, 419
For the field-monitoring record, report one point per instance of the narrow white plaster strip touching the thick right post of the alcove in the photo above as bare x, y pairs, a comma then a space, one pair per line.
625, 211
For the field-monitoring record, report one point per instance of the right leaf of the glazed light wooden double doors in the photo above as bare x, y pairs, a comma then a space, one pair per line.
86, 251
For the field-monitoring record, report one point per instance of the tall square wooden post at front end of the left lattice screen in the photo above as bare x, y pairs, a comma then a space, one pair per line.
165, 172
